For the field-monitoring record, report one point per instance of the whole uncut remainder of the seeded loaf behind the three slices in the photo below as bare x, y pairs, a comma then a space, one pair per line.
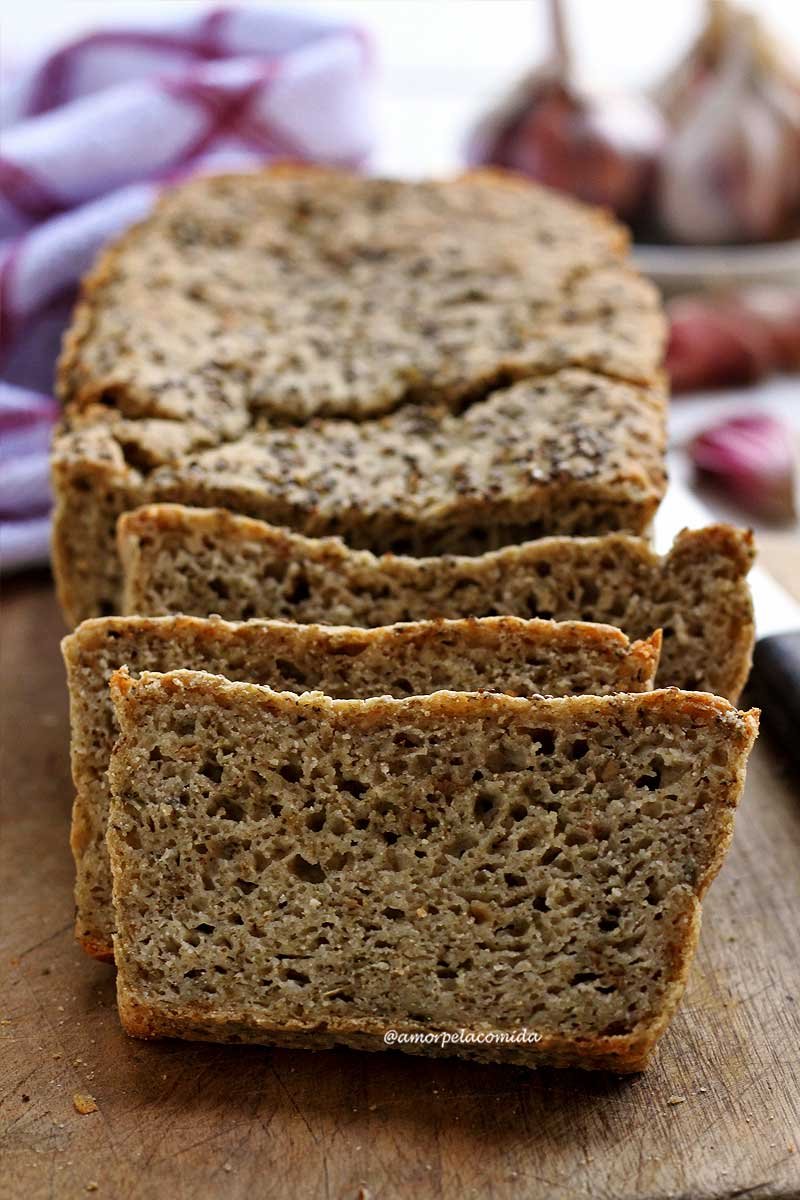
428, 368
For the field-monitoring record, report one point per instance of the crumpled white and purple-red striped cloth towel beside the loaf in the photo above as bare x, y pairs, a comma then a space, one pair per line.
89, 136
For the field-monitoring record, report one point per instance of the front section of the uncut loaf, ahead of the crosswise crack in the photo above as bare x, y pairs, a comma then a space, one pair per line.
428, 482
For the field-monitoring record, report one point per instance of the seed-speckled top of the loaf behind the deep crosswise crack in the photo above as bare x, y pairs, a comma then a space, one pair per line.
297, 292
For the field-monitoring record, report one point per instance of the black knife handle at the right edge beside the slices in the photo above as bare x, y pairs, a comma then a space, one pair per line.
775, 686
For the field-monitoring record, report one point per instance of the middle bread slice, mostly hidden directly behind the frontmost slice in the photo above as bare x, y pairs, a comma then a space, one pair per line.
520, 657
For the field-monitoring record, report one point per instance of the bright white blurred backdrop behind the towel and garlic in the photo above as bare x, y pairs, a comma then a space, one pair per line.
441, 62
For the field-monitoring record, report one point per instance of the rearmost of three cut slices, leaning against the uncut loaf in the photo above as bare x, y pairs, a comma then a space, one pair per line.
178, 560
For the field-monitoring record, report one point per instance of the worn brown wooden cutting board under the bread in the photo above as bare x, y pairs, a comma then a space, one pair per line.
717, 1115
